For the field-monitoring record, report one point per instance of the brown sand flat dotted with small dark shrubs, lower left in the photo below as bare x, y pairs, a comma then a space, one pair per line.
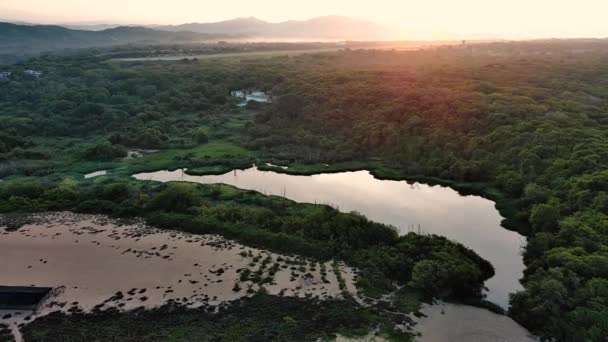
93, 262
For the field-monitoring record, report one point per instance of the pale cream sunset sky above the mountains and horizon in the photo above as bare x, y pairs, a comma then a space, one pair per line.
414, 18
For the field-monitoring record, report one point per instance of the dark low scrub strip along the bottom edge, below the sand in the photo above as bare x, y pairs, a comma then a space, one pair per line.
261, 318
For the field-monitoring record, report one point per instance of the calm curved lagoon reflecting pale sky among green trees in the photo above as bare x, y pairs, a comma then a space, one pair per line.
470, 220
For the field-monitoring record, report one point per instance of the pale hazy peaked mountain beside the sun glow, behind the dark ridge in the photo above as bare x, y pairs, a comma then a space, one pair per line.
330, 27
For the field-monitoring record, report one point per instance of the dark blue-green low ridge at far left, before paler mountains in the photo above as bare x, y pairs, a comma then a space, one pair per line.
25, 39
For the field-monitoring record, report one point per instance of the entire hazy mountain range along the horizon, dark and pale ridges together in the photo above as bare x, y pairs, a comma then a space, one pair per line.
24, 38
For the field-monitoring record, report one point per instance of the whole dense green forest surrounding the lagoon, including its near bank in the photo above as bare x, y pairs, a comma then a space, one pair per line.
525, 124
